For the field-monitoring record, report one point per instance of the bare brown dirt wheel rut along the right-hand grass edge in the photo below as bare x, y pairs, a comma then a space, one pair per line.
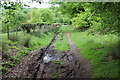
73, 50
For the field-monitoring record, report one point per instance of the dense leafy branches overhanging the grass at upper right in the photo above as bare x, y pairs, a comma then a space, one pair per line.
102, 17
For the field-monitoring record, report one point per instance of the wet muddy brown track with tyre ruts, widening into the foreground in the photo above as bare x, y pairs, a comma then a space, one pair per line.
65, 65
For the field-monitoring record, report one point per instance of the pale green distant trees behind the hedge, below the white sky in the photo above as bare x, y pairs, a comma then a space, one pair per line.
48, 15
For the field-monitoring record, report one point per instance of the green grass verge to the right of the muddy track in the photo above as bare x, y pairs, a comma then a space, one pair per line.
99, 50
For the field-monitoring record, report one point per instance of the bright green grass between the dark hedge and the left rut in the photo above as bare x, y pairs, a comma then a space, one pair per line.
35, 42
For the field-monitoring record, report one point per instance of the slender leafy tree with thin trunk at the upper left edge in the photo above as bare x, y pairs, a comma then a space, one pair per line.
9, 11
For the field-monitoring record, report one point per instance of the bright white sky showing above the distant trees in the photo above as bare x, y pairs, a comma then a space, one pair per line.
35, 4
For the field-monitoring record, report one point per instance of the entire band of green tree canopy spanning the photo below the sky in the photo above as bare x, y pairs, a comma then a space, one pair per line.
96, 17
